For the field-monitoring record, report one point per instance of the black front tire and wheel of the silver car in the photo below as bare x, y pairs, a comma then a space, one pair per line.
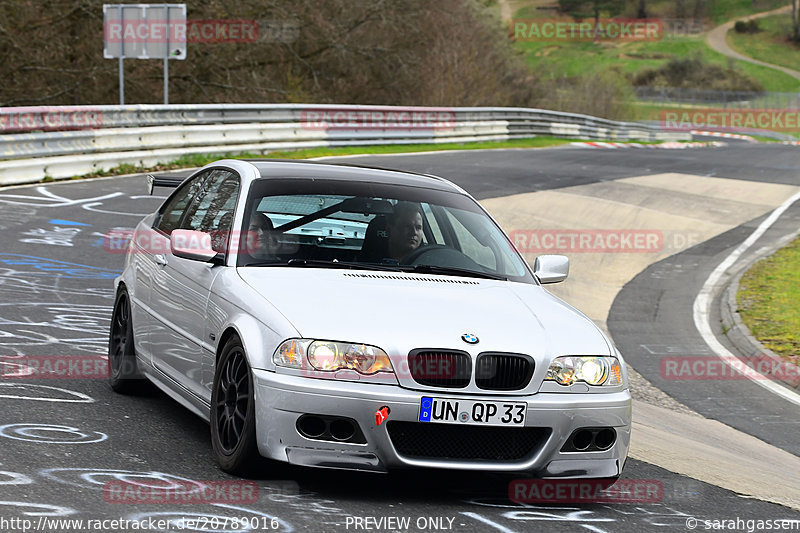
233, 426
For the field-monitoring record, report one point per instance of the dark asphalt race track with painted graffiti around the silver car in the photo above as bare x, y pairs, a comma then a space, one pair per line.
63, 440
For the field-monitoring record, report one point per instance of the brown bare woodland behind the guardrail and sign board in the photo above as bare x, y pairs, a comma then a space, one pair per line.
447, 52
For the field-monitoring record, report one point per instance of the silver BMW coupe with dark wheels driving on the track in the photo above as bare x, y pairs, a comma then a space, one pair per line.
349, 317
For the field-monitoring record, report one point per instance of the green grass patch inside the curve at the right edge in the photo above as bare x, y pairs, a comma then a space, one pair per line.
767, 301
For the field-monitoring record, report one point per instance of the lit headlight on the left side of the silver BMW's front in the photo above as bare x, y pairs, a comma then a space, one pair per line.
329, 356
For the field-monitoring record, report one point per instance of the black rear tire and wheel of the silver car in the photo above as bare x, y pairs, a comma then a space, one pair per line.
123, 372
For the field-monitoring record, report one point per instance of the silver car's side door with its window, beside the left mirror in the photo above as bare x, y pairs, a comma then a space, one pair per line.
181, 287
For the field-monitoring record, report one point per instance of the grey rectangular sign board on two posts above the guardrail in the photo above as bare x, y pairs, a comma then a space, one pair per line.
144, 31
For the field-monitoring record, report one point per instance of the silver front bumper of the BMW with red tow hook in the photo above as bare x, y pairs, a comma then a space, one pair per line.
281, 399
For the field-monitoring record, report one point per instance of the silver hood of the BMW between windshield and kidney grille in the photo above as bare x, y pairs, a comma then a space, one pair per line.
399, 312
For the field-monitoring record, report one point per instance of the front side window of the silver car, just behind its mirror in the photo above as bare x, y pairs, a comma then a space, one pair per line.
213, 211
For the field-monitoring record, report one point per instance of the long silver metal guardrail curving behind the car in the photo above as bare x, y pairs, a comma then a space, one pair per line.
62, 142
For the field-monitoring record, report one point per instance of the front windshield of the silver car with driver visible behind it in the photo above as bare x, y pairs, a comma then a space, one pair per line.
334, 223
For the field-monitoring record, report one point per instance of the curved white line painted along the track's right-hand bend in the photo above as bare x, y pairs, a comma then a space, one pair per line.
702, 305
